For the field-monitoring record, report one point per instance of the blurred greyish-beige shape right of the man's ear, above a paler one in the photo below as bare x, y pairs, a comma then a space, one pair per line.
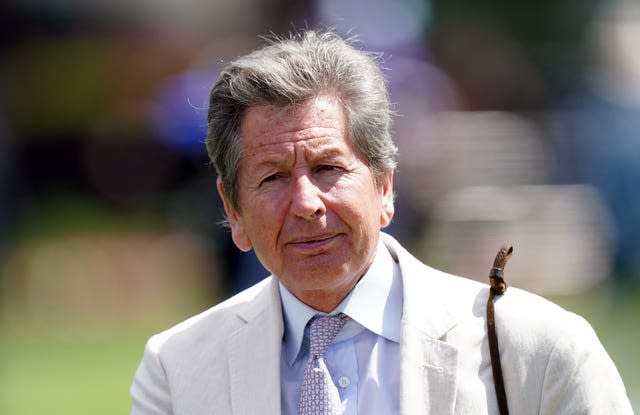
454, 150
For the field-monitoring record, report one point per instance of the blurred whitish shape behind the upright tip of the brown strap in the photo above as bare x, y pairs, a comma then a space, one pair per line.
558, 233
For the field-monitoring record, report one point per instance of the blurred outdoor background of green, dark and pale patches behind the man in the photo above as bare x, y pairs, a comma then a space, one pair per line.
517, 122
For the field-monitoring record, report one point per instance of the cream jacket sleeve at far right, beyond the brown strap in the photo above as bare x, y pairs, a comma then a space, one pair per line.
580, 377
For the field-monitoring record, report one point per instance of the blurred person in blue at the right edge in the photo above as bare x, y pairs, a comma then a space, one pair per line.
596, 136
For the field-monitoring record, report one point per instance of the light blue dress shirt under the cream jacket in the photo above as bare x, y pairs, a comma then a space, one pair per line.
364, 359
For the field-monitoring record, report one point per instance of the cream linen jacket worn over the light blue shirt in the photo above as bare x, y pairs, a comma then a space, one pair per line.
226, 359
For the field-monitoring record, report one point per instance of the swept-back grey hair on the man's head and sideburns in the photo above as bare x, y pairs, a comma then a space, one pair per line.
289, 71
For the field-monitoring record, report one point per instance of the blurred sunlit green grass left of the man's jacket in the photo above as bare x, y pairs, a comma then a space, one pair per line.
65, 369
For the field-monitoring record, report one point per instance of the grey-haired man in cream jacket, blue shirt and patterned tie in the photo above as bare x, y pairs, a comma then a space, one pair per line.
299, 136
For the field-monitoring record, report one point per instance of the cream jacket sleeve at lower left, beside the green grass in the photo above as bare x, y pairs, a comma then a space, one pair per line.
150, 390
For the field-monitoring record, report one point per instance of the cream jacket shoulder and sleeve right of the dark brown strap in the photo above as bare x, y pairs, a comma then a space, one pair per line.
544, 344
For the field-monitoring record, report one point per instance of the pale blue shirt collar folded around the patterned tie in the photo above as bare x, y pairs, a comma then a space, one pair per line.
375, 303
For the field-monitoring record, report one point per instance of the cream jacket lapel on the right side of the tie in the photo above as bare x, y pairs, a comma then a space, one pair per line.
428, 364
